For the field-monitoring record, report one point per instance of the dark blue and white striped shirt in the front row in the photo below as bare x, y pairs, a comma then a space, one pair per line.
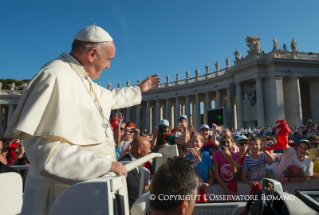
255, 168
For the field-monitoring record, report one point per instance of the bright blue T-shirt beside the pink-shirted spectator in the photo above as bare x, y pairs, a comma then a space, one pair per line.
203, 166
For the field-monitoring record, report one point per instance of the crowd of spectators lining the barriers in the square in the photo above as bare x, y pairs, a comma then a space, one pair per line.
220, 155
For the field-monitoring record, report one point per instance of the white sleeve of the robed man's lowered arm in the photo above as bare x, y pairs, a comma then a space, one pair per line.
63, 162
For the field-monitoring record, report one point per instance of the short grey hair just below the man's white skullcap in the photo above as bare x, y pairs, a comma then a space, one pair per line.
81, 47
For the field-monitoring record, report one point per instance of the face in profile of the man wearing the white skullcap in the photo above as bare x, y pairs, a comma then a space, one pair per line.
102, 61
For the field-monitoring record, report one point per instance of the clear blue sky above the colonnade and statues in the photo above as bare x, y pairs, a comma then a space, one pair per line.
151, 36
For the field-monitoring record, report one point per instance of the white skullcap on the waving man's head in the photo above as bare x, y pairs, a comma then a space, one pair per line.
93, 34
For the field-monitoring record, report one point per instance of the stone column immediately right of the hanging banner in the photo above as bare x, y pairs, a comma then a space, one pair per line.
260, 103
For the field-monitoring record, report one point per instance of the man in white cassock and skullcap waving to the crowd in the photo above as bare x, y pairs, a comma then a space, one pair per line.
63, 118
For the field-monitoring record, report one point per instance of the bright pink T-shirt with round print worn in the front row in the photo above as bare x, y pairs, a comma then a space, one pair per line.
224, 166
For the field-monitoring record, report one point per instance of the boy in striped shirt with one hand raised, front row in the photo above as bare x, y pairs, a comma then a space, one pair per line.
254, 165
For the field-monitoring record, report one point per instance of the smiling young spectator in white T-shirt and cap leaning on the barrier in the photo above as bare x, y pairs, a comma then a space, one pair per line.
297, 166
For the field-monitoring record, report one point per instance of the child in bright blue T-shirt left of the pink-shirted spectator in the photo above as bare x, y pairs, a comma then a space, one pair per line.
204, 165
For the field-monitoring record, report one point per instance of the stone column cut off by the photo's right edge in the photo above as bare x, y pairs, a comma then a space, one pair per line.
314, 100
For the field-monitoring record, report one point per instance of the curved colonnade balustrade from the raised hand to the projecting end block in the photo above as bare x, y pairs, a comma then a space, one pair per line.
194, 79
